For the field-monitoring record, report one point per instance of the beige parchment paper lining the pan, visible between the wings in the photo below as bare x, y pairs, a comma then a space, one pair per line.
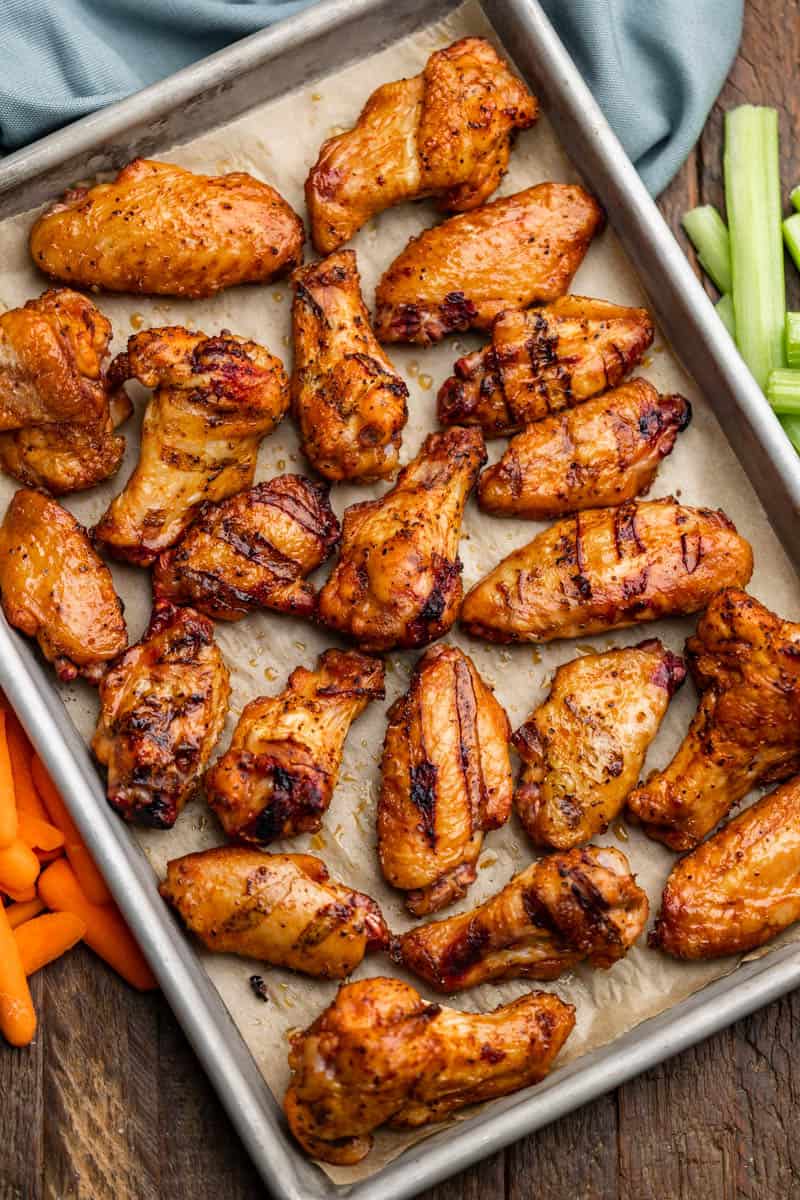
279, 143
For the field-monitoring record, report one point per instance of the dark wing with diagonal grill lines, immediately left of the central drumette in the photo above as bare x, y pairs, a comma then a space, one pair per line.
252, 551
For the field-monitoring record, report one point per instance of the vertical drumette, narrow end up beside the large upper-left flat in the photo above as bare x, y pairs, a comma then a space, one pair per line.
347, 397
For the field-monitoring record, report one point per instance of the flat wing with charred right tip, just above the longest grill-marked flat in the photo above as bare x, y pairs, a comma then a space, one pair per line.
604, 453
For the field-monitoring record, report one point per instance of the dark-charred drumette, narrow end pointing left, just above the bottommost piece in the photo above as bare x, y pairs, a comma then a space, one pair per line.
562, 910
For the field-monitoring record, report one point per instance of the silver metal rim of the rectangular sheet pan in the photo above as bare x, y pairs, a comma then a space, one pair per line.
335, 33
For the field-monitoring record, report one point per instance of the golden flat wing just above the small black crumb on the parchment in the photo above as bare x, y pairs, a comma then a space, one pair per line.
281, 909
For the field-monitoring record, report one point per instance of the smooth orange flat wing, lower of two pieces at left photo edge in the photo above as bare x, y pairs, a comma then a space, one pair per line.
57, 590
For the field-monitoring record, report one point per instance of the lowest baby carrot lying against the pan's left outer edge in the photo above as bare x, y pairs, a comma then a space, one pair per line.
106, 931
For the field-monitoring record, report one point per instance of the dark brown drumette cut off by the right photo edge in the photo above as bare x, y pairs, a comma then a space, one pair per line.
747, 730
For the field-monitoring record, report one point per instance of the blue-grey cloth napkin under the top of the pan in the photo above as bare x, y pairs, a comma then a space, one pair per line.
654, 65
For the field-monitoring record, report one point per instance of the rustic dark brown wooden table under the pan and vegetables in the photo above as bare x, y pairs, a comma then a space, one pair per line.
111, 1105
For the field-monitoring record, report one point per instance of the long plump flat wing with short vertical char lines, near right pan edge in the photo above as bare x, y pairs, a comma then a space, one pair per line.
607, 569
